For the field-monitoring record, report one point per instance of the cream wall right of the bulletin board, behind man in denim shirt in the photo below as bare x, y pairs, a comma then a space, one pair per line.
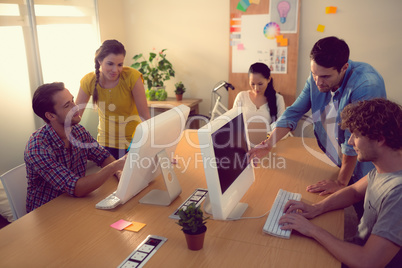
370, 27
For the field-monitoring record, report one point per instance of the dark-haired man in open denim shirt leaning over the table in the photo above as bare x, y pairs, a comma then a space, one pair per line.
334, 82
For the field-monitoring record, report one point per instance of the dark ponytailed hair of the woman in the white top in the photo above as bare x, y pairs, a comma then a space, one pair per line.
270, 93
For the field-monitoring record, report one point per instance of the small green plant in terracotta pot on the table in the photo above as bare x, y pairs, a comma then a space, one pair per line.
192, 221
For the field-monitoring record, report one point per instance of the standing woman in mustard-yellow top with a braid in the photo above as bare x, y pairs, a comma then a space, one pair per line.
119, 94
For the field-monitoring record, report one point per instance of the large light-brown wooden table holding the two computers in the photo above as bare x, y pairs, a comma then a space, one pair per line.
70, 232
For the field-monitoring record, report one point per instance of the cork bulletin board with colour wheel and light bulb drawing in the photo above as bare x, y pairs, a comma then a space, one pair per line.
258, 34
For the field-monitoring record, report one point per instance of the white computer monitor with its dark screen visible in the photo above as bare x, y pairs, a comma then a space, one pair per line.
224, 145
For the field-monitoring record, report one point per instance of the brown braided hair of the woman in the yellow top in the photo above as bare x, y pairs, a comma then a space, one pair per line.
108, 47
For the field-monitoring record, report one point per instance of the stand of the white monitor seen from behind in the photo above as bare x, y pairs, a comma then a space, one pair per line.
159, 197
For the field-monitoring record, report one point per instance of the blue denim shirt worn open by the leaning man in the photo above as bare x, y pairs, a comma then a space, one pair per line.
361, 82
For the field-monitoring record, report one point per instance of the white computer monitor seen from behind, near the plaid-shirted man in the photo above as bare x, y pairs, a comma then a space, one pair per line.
151, 150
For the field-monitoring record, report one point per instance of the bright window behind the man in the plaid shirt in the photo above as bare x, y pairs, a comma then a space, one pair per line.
42, 41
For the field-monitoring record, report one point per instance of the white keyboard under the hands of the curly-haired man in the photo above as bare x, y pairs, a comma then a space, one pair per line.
271, 226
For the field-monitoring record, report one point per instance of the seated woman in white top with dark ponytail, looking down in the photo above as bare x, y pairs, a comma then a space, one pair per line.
261, 105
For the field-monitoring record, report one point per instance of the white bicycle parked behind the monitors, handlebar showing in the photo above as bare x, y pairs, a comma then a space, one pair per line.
196, 121
